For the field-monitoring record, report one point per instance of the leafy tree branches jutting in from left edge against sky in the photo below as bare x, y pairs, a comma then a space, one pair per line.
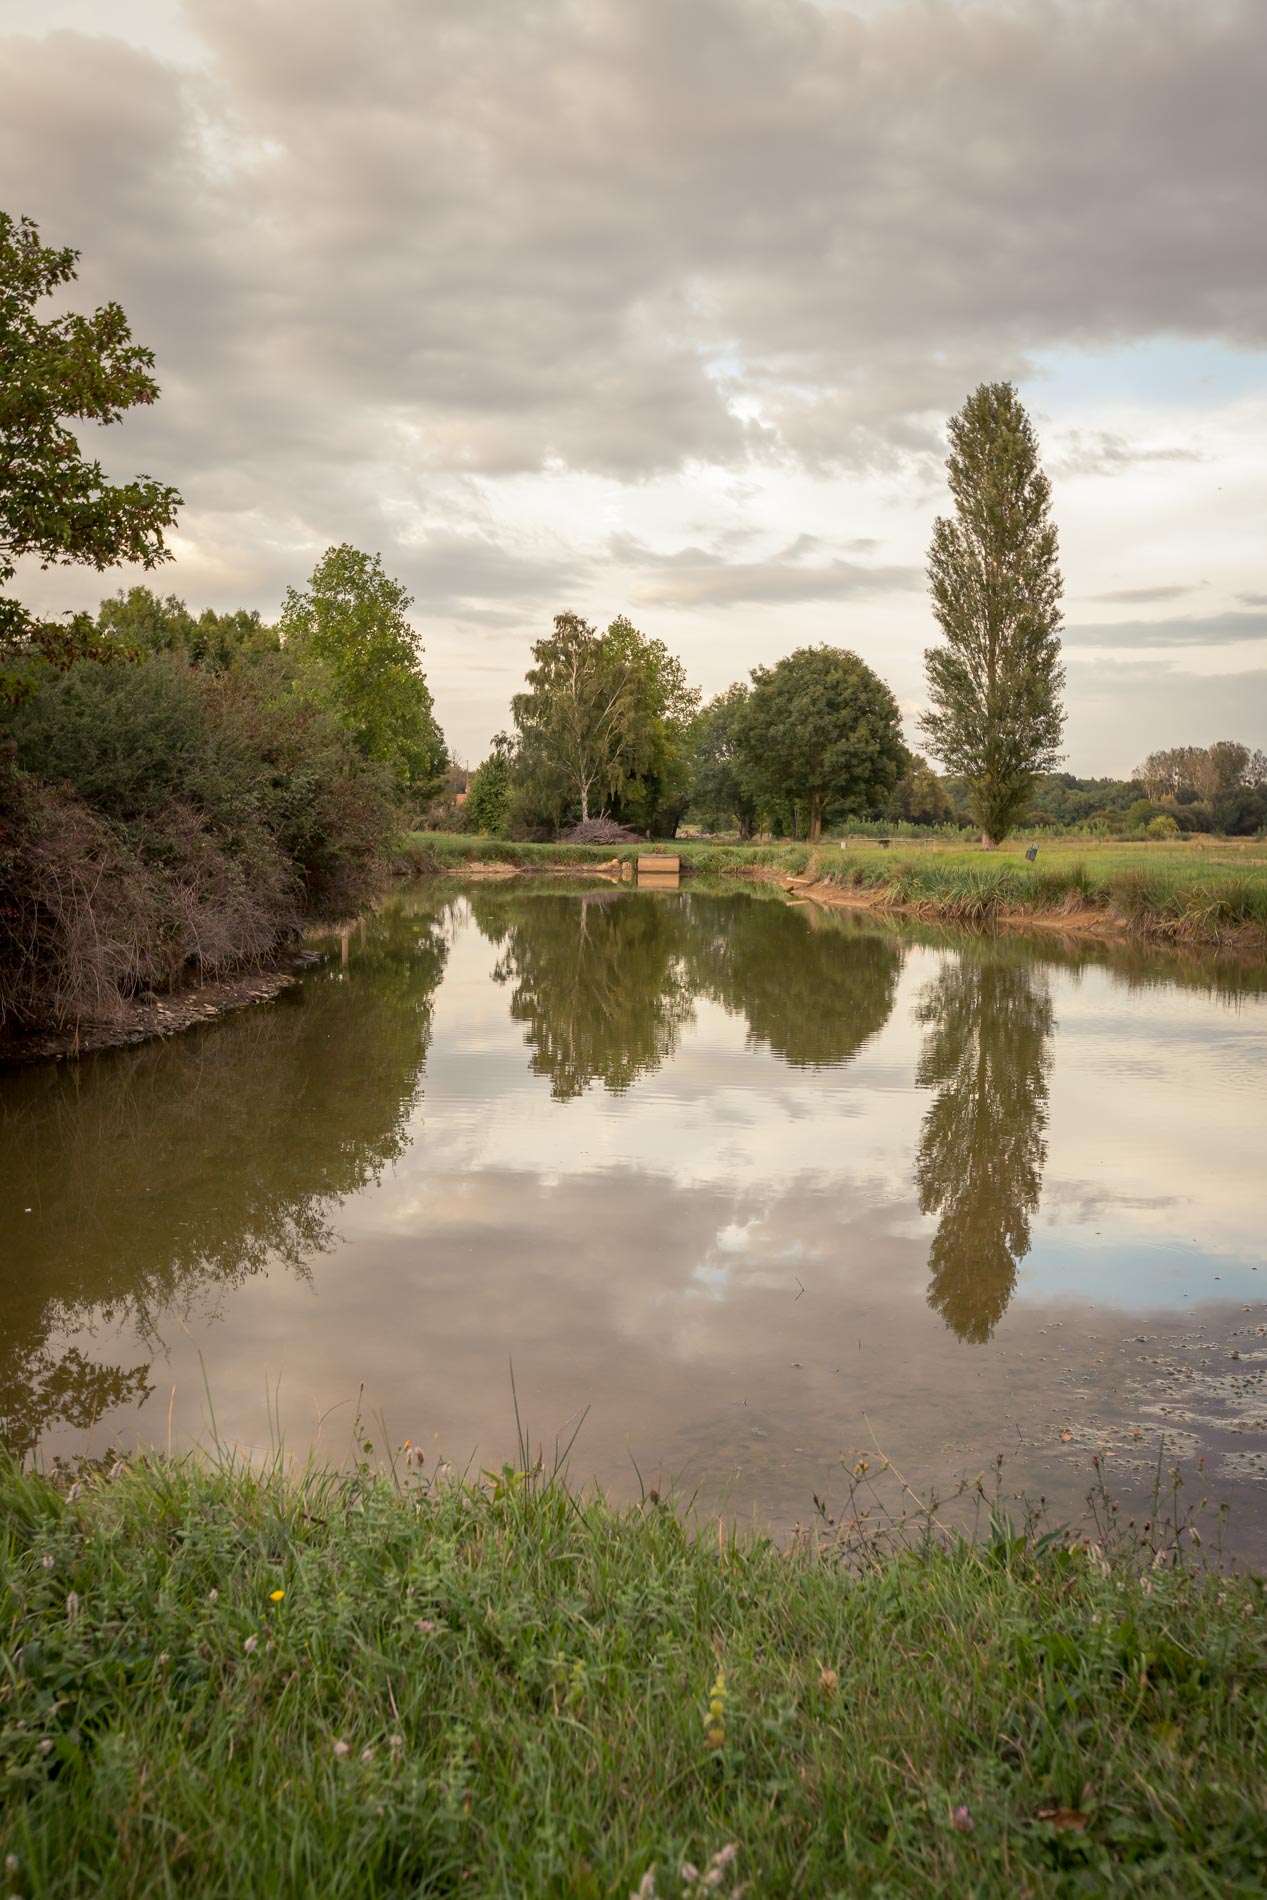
56, 504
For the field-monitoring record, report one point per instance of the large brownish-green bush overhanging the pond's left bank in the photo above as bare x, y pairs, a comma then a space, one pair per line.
164, 822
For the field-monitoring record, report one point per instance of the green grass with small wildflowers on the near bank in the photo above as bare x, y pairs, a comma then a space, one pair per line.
225, 1684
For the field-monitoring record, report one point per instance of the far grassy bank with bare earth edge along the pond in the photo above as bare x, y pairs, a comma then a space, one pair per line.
1192, 894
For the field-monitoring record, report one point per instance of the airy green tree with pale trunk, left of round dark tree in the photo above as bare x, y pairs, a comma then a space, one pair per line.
605, 719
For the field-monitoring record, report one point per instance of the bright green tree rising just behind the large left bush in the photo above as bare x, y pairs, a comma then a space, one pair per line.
350, 636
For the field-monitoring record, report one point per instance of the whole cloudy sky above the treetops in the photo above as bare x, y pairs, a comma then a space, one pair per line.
660, 307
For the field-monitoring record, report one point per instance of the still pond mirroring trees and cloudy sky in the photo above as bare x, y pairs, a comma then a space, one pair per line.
747, 1190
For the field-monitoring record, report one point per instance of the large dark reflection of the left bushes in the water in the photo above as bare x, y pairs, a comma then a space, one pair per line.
170, 1173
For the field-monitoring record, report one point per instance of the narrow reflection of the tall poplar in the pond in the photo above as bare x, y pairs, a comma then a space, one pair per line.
983, 1147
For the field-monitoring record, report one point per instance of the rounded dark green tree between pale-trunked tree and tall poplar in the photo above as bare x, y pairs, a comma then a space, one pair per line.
825, 729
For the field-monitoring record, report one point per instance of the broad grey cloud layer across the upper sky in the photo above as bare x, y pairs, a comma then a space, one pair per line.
637, 238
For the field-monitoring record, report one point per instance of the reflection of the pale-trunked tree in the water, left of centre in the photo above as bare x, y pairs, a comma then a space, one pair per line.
597, 981
